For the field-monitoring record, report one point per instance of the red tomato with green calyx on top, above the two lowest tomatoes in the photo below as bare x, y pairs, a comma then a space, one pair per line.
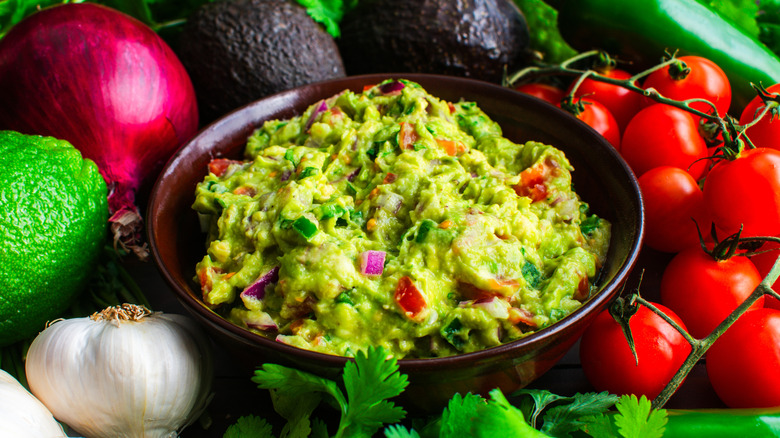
704, 291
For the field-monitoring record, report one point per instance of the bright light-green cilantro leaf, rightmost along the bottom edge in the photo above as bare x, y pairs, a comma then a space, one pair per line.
636, 418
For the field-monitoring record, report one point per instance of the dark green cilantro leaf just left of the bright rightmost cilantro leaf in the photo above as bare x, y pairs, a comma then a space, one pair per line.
563, 419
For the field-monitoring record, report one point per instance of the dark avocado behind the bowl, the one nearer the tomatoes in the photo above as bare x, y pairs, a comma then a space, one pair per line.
468, 38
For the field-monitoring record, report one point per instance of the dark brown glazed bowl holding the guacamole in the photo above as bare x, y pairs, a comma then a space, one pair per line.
601, 177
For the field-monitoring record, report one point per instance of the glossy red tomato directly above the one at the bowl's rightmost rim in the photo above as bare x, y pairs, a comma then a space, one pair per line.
662, 135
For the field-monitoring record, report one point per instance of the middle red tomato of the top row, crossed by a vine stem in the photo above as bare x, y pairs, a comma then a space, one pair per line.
621, 102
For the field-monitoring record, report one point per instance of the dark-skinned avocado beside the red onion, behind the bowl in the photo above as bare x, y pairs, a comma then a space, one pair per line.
238, 51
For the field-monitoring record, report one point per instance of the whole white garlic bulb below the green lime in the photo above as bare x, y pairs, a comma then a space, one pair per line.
123, 372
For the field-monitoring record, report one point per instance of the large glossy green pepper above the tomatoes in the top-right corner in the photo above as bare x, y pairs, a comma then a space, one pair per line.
641, 31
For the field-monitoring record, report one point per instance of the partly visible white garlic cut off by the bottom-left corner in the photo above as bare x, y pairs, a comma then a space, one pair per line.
22, 415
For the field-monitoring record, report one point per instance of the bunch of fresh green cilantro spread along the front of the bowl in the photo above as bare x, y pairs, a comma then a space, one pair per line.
370, 381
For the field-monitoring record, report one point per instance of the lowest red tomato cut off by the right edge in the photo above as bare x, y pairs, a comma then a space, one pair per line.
742, 364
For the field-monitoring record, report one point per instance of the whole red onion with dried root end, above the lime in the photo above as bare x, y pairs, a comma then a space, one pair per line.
109, 85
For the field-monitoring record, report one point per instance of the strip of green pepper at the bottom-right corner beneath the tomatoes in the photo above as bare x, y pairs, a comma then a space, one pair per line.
716, 423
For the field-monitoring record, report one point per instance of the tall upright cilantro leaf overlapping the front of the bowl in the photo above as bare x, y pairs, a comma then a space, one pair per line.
369, 381
